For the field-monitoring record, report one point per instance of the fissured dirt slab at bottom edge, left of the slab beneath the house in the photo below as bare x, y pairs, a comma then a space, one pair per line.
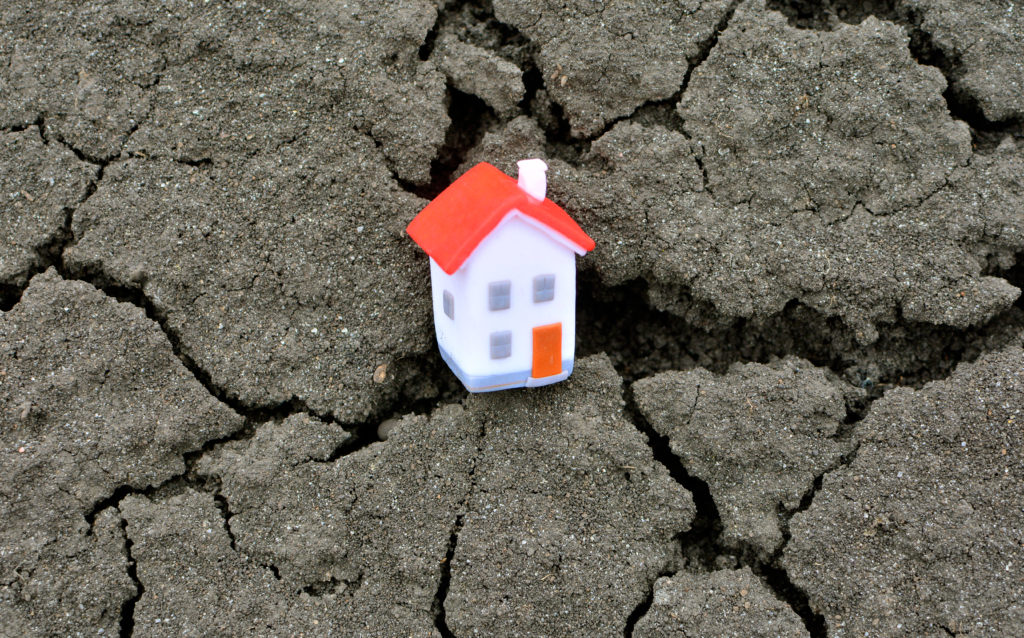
312, 544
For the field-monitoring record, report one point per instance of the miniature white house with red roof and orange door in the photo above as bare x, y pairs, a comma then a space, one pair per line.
503, 274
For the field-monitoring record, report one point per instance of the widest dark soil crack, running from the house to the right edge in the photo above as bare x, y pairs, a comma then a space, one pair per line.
642, 341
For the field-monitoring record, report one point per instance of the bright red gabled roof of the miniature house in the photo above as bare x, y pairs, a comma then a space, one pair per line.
453, 226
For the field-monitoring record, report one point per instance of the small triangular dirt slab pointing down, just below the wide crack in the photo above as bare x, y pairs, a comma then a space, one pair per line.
759, 436
